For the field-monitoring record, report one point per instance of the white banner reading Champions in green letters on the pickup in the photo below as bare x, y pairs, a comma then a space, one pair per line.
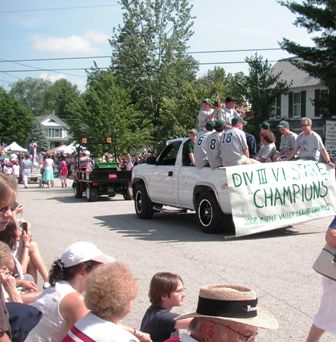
274, 195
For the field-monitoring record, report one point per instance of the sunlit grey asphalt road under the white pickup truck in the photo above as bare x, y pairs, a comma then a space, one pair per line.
277, 264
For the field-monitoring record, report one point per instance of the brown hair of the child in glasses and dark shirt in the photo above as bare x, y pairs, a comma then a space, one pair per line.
162, 284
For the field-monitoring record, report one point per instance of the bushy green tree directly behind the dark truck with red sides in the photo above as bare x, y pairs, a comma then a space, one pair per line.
105, 110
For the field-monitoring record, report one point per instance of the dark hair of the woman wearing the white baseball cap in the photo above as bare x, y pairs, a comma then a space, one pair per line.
58, 272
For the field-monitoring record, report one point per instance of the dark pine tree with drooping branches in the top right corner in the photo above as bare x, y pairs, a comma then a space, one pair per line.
319, 61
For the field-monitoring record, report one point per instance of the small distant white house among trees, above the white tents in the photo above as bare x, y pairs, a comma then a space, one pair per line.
55, 130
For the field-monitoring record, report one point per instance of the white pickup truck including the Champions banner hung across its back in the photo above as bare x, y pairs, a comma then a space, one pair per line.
238, 200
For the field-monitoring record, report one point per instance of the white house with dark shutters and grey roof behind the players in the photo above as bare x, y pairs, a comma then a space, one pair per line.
303, 98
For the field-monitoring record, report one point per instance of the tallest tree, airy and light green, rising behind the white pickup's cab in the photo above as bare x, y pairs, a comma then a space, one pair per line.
150, 55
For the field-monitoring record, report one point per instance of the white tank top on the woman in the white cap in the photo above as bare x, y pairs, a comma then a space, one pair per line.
52, 326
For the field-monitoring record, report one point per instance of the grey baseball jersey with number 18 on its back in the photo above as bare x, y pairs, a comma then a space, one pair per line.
233, 145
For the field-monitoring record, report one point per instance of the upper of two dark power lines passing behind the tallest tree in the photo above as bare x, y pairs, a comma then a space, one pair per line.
109, 56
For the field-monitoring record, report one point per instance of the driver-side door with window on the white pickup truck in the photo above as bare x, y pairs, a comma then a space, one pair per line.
162, 185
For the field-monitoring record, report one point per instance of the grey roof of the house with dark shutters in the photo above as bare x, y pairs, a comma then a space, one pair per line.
290, 73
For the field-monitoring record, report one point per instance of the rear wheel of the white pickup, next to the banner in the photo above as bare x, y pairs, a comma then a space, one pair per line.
209, 214
